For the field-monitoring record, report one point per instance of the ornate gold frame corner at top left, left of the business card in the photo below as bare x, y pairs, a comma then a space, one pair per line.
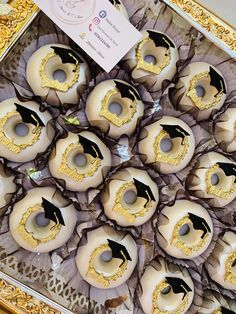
15, 17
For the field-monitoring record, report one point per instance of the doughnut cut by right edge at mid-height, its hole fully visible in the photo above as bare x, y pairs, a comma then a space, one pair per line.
213, 179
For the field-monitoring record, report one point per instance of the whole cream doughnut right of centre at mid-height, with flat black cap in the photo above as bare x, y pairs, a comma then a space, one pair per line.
168, 143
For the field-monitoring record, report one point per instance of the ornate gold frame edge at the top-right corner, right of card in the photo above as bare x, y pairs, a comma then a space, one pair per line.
218, 31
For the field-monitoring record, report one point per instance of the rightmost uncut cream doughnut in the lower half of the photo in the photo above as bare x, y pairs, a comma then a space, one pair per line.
185, 229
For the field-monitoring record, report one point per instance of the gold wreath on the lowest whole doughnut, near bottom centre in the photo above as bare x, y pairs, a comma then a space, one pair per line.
103, 280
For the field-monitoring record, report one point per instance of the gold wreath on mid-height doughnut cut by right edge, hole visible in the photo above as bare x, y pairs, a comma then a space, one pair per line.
214, 189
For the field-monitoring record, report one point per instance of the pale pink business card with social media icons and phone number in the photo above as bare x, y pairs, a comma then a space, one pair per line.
96, 26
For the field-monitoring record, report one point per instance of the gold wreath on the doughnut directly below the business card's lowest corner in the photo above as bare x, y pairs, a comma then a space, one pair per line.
112, 117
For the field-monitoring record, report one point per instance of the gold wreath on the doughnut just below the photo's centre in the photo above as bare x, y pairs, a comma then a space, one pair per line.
124, 209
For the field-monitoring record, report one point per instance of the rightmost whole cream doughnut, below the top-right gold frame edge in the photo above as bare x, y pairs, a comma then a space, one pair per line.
200, 90
